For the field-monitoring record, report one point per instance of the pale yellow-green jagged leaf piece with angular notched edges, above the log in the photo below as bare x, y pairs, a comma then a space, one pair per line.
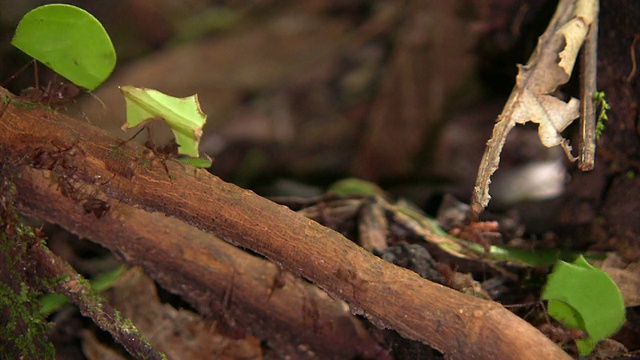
183, 115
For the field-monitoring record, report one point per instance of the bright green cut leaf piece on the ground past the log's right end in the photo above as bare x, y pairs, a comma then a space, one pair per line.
584, 297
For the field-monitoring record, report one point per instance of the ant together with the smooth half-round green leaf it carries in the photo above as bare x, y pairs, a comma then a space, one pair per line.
72, 43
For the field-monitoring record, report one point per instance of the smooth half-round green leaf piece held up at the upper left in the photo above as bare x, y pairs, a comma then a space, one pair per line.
68, 40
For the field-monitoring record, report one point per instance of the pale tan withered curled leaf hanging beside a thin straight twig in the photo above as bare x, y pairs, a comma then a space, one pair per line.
532, 98
